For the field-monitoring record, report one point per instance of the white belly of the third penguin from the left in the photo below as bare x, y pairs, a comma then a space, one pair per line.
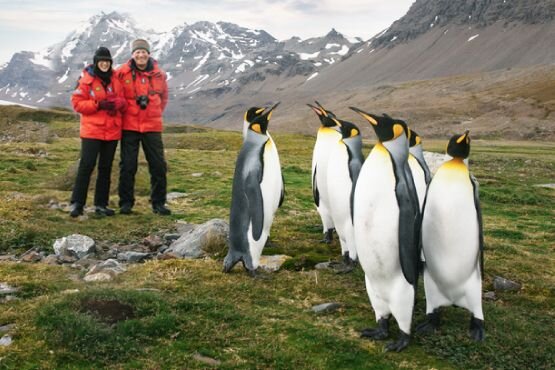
339, 183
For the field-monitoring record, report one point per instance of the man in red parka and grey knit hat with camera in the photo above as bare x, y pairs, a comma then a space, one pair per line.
146, 91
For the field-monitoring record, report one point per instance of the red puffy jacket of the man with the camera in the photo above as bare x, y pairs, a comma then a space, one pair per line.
150, 82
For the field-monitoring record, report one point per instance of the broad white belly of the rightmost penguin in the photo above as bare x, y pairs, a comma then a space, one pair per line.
450, 233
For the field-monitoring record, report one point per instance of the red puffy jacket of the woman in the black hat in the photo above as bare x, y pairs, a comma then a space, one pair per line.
96, 123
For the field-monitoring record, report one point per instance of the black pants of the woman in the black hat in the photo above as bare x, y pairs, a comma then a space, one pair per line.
91, 149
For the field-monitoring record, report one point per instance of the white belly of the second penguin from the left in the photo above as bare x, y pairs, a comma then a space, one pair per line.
326, 139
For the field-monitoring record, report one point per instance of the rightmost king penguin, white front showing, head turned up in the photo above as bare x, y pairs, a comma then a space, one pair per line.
452, 241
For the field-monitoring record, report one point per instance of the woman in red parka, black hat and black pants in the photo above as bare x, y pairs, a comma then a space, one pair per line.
98, 98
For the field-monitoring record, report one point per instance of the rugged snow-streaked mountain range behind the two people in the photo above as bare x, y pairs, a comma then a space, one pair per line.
203, 60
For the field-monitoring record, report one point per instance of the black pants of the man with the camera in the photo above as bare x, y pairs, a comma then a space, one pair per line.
154, 153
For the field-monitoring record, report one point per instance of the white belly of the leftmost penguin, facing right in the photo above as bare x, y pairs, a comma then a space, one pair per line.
271, 187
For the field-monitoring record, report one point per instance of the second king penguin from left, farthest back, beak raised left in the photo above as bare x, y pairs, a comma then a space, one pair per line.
327, 137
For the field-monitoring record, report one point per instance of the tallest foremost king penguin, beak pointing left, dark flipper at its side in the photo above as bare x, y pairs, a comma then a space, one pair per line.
386, 223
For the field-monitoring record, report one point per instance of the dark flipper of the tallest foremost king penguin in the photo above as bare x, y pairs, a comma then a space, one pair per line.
409, 223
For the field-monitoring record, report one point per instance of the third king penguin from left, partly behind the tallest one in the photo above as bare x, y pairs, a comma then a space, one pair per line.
344, 165
